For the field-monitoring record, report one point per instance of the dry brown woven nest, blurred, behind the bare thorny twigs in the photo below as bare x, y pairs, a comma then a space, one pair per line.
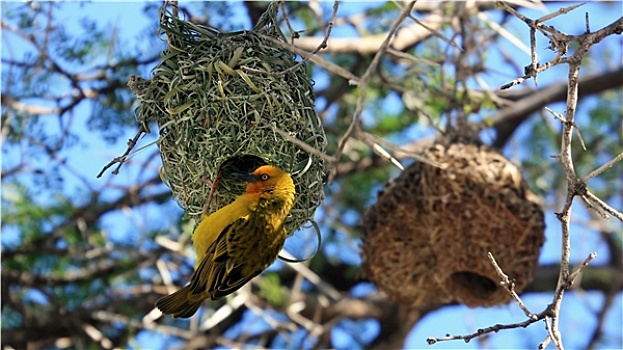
428, 235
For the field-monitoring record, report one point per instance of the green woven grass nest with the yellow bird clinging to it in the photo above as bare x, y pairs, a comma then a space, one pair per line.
221, 95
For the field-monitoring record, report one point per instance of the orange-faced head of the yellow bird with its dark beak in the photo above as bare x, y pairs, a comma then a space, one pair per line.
268, 179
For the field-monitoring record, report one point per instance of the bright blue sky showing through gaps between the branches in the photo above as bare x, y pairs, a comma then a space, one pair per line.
578, 316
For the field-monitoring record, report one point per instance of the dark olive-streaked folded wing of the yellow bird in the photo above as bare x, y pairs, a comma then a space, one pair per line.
217, 275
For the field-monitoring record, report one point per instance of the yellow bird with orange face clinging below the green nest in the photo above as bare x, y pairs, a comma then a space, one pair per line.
237, 242
